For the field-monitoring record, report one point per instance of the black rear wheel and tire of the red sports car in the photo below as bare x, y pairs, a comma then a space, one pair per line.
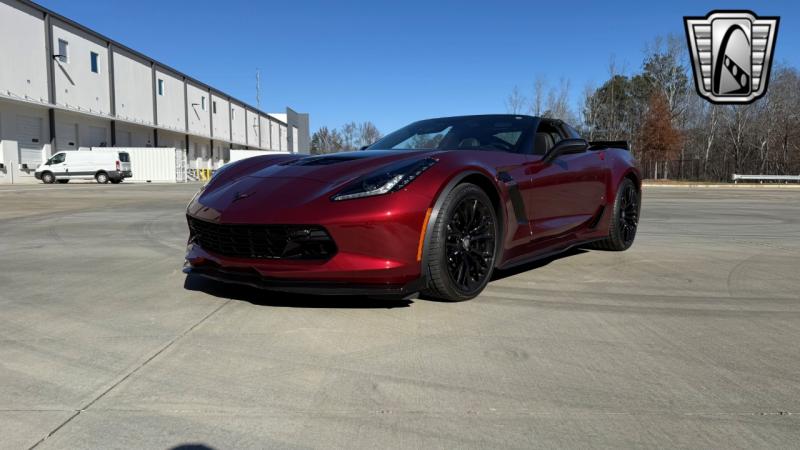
624, 218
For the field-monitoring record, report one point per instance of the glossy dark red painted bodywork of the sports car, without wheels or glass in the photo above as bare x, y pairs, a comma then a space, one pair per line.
544, 207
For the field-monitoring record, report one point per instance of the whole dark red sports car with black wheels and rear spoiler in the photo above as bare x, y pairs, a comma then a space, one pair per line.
434, 207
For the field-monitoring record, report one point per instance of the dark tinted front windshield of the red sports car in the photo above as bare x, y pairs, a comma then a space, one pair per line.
492, 132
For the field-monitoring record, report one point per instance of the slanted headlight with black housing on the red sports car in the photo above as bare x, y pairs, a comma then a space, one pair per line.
389, 179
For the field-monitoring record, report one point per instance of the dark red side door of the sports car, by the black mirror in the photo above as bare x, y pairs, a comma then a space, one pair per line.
566, 192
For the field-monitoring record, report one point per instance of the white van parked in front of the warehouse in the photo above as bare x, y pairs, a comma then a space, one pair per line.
103, 166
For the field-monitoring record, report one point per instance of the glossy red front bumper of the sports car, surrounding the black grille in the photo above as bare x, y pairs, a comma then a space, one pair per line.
377, 242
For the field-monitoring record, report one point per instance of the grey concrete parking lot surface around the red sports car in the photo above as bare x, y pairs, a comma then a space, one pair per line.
689, 339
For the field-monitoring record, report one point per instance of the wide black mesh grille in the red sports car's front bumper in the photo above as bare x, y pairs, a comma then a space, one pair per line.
263, 241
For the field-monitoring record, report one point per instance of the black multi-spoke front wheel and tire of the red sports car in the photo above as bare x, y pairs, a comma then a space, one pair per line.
463, 245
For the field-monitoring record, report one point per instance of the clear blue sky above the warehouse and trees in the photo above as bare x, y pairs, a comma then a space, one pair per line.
399, 61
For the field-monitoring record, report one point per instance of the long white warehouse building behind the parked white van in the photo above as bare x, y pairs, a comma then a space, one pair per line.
65, 87
